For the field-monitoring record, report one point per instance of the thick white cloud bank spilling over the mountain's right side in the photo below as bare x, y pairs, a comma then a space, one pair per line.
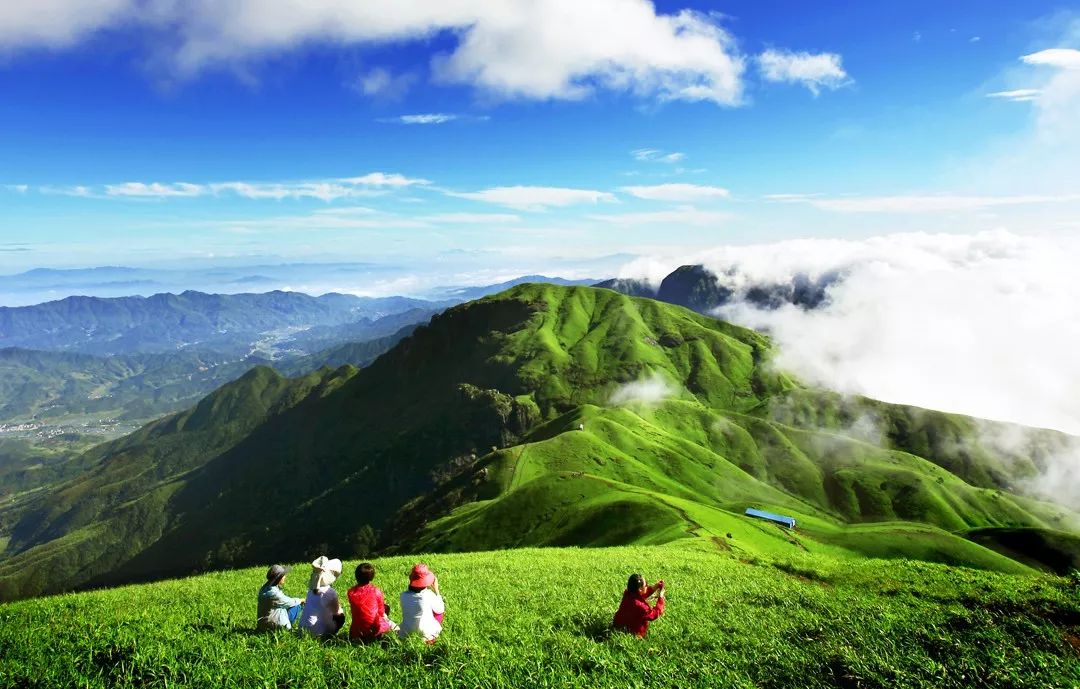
982, 325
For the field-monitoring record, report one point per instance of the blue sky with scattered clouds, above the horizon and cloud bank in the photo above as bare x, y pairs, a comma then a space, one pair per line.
487, 139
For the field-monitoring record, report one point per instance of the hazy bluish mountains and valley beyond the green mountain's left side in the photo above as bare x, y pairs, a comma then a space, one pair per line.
104, 367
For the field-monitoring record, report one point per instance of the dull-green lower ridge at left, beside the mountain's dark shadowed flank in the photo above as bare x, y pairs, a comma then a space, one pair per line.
119, 505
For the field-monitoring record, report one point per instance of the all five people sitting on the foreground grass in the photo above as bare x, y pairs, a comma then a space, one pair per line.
322, 616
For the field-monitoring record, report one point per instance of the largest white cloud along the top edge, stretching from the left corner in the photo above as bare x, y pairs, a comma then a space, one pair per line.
514, 49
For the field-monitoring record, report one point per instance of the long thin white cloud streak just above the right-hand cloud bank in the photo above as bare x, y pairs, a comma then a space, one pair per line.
915, 204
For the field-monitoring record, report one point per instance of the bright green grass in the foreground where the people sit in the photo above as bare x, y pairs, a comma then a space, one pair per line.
539, 618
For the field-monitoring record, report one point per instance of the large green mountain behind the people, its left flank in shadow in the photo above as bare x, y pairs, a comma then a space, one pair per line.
468, 435
